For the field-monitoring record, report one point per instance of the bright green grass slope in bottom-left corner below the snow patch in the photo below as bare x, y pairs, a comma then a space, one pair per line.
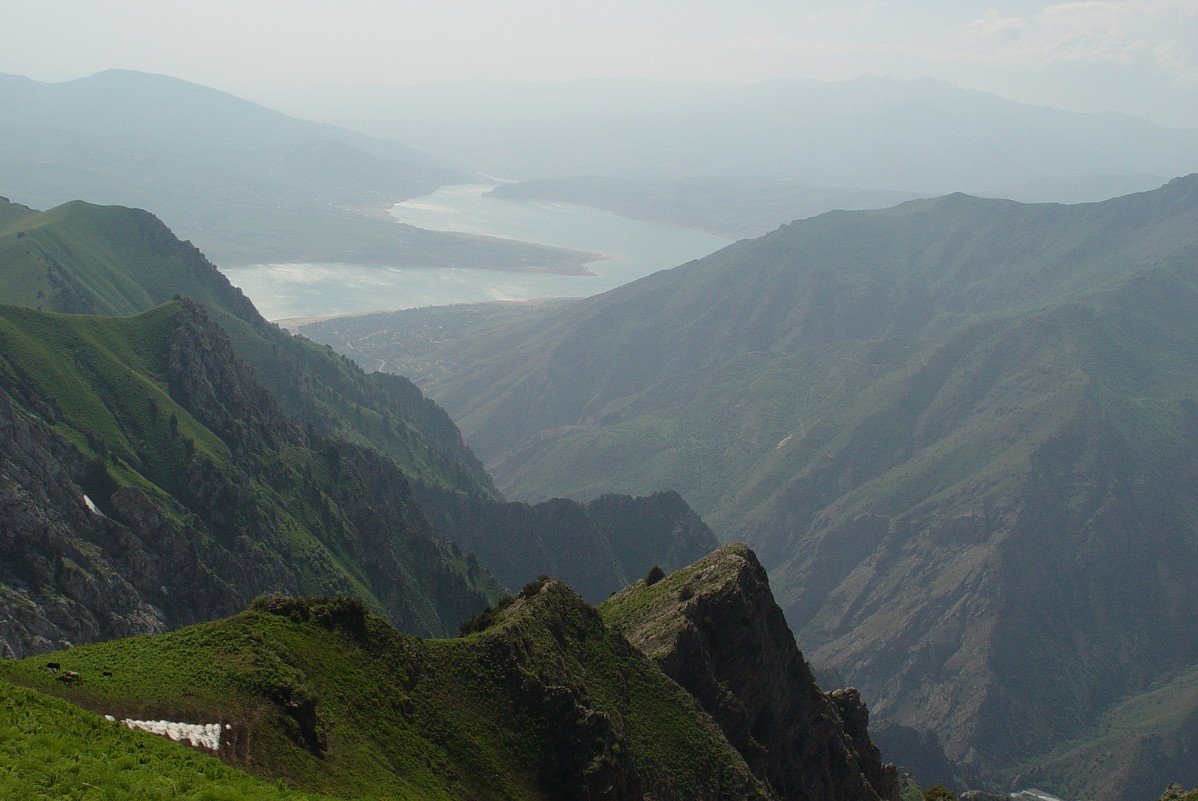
52, 750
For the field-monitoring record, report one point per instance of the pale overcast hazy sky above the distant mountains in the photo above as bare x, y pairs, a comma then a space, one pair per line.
1139, 57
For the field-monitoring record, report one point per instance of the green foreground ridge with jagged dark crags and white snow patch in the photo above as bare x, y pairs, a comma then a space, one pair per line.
542, 697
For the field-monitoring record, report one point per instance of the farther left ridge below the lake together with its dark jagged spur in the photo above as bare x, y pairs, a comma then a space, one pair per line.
81, 258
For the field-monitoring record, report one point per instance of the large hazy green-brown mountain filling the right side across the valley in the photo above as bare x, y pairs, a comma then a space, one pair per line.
960, 433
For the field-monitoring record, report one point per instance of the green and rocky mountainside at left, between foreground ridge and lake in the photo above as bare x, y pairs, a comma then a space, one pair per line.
166, 468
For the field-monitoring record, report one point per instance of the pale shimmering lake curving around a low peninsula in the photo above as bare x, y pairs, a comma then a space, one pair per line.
633, 250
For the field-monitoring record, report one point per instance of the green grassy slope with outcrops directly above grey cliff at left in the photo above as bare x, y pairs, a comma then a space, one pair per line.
108, 381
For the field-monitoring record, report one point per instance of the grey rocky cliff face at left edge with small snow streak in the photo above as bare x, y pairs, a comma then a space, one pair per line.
72, 574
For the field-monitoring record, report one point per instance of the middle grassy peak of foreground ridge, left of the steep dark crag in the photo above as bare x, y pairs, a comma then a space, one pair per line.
576, 675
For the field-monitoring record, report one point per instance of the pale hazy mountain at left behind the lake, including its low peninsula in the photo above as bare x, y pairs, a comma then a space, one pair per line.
249, 185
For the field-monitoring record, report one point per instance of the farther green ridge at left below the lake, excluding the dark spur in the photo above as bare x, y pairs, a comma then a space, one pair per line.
110, 260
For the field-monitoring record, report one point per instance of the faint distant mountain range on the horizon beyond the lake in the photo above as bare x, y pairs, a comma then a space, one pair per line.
868, 133
